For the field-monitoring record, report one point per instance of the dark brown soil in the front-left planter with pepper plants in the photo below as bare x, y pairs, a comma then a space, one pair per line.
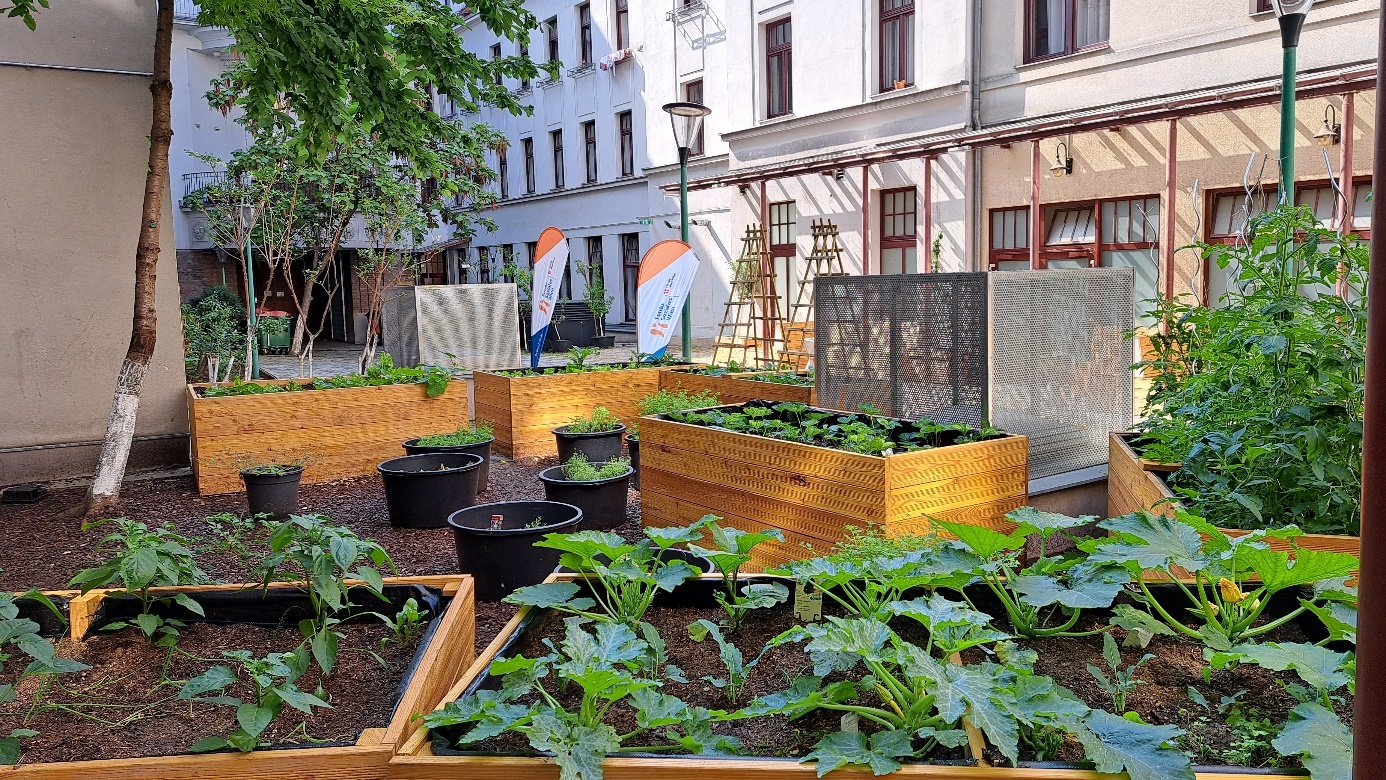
125, 706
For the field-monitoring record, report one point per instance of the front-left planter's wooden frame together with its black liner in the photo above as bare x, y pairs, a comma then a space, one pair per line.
444, 655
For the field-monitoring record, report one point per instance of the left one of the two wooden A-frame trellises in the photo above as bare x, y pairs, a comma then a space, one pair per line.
753, 330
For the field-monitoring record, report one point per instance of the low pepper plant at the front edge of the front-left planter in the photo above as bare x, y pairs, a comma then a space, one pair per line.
271, 678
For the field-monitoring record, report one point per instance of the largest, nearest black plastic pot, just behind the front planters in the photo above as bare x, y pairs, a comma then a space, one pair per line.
495, 544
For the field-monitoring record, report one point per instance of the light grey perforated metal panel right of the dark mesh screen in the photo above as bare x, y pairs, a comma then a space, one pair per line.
1061, 364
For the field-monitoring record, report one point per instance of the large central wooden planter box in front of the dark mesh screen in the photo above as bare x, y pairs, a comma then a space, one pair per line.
810, 494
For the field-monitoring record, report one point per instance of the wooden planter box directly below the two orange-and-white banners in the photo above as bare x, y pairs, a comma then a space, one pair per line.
526, 411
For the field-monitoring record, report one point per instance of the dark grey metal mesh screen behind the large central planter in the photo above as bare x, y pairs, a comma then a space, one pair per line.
911, 346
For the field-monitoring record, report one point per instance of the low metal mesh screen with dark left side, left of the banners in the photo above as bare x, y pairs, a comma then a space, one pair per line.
459, 326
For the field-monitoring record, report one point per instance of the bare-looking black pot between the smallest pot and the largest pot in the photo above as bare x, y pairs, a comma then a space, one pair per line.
423, 490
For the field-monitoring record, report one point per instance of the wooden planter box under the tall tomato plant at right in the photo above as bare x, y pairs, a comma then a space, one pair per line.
1136, 484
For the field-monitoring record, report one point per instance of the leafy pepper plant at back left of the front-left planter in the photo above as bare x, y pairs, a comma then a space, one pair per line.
138, 560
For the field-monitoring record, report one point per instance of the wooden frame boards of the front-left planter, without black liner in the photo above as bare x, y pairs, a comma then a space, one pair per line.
447, 659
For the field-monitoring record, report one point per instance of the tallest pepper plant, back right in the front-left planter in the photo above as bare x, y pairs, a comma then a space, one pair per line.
308, 548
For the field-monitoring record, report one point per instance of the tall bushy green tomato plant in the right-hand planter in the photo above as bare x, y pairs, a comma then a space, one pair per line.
1261, 398
